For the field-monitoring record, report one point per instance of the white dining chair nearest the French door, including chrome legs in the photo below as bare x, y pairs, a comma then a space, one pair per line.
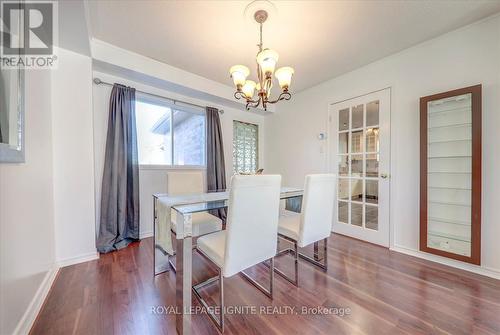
312, 225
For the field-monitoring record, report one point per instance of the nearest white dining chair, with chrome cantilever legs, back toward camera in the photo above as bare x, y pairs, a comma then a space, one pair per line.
249, 238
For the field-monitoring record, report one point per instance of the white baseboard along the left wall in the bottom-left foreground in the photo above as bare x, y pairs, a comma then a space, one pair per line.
29, 316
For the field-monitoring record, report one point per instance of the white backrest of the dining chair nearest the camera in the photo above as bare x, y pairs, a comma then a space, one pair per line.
252, 221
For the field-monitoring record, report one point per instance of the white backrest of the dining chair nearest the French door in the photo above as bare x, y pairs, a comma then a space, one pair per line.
317, 208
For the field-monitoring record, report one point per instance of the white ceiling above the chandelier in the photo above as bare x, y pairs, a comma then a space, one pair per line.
320, 39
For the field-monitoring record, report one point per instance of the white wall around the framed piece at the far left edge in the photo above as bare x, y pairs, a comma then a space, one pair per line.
27, 210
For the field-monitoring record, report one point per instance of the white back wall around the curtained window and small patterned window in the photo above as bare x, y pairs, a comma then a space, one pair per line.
153, 179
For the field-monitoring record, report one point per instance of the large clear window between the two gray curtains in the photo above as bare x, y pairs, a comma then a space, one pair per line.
158, 144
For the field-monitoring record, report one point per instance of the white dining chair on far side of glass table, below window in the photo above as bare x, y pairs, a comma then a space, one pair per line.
182, 183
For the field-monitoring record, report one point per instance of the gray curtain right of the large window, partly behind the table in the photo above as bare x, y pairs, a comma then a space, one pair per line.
216, 168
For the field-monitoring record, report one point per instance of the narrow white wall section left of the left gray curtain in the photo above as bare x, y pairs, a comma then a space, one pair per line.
73, 158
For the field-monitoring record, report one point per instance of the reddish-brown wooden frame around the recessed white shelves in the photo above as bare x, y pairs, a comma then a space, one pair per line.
475, 92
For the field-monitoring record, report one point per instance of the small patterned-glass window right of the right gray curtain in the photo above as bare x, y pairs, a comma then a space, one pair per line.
245, 147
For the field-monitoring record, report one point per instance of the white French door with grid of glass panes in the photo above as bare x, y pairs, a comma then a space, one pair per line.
360, 157
